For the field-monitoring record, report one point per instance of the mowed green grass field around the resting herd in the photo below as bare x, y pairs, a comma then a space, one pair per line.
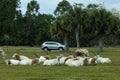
60, 72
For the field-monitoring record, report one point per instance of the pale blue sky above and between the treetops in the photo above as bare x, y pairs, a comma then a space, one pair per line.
48, 6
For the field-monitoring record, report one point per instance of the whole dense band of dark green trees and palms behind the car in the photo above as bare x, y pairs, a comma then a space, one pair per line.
73, 25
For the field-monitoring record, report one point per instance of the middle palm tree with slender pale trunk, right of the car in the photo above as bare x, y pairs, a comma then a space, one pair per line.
77, 15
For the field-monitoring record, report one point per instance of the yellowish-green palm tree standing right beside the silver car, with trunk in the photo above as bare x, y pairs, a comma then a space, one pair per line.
60, 27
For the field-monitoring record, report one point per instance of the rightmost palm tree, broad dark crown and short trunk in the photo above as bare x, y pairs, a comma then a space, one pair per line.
100, 22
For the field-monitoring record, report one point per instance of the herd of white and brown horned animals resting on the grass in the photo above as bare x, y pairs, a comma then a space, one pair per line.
79, 58
